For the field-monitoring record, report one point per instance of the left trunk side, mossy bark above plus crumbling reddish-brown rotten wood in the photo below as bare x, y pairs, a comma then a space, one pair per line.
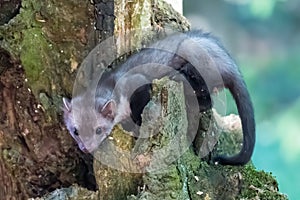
39, 154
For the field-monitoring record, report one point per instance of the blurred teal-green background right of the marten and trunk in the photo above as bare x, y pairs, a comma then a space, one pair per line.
264, 38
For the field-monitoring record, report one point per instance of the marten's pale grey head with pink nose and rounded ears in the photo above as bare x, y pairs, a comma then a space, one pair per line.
87, 124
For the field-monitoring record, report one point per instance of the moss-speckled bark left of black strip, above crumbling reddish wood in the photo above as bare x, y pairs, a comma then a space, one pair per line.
51, 39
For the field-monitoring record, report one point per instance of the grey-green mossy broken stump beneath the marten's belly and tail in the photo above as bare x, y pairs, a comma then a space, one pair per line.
189, 177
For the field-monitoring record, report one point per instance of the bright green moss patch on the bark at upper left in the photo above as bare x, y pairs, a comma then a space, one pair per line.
24, 38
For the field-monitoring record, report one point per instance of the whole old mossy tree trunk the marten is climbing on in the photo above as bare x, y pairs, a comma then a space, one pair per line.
42, 45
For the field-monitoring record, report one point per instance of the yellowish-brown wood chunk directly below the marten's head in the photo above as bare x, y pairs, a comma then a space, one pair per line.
116, 175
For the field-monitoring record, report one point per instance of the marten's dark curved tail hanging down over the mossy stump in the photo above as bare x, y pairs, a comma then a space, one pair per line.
242, 98
